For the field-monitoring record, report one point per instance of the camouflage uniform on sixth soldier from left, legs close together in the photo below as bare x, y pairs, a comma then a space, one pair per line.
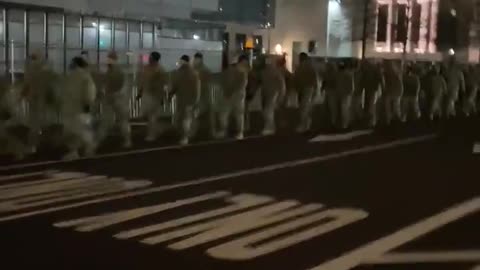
186, 87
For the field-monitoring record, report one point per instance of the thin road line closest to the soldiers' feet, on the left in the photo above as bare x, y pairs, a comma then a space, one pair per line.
121, 154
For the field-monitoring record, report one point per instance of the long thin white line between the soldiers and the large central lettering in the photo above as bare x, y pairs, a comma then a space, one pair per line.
212, 179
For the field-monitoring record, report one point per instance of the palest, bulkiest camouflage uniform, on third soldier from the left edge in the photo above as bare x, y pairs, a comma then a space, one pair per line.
79, 98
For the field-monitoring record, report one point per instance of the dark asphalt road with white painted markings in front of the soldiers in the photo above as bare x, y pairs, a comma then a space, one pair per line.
405, 197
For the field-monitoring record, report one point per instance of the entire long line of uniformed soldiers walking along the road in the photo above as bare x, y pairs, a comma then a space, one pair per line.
352, 93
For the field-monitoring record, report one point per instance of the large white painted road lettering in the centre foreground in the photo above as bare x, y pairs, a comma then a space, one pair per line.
252, 226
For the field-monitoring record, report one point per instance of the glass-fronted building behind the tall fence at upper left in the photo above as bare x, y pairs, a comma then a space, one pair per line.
61, 29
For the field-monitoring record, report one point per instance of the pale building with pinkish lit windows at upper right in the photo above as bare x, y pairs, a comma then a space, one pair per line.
415, 29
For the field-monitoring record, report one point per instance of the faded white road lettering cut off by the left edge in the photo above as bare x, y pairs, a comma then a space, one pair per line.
56, 188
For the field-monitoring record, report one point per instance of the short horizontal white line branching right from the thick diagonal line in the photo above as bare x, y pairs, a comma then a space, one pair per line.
428, 257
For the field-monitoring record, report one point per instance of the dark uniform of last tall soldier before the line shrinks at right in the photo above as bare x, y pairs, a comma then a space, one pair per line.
306, 83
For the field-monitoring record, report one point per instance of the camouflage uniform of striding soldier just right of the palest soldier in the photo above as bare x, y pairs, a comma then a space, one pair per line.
115, 104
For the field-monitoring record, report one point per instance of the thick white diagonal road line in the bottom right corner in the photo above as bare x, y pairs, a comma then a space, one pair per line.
379, 247
